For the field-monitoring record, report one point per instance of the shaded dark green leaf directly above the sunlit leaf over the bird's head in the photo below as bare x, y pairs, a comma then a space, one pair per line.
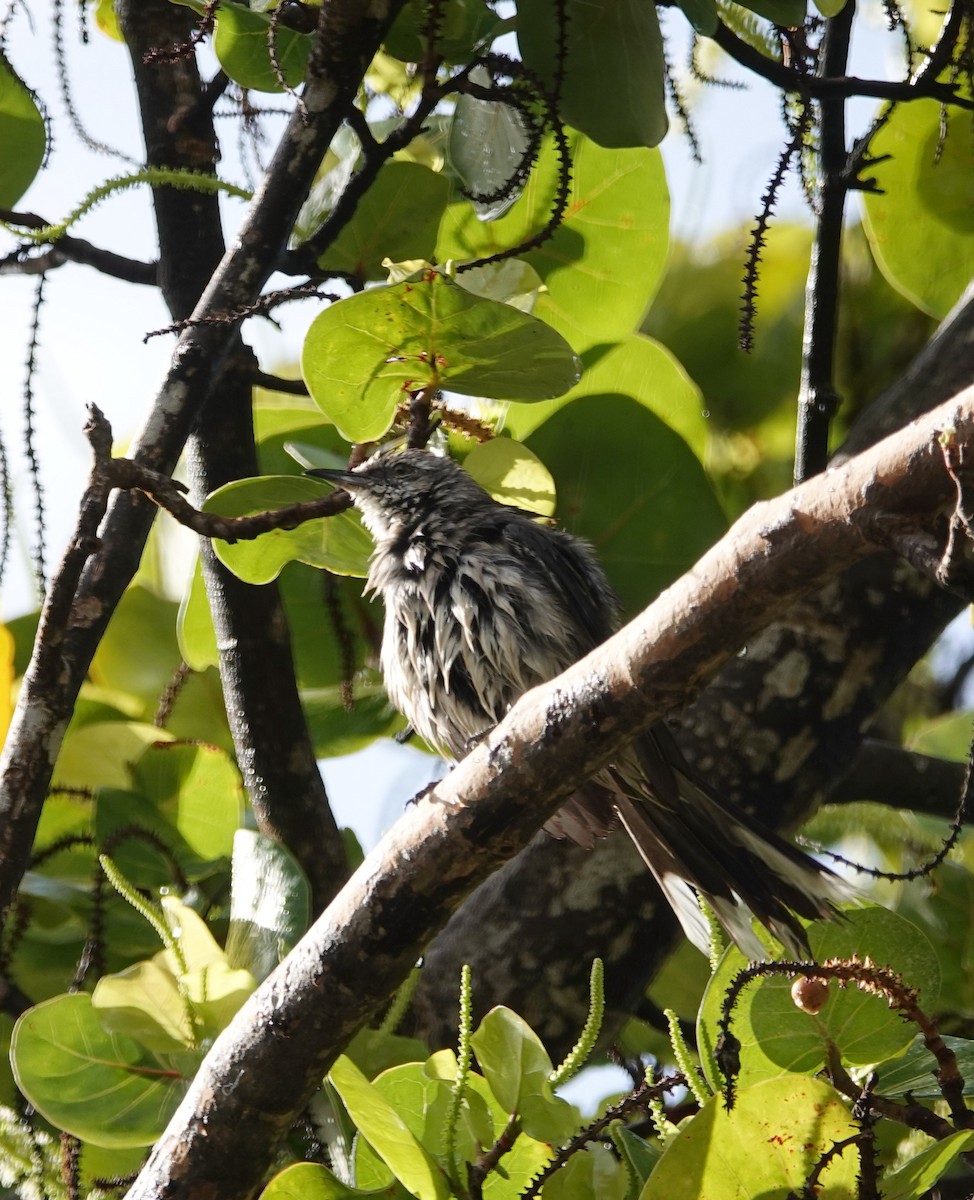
398, 219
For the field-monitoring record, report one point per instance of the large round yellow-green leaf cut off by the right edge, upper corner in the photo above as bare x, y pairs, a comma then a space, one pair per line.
922, 226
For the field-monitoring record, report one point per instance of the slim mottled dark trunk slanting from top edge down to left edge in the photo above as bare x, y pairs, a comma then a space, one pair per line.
350, 33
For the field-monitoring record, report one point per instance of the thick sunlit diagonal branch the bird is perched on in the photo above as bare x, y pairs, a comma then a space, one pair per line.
491, 806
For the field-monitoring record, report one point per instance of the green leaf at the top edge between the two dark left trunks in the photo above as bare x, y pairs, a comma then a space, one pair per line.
242, 46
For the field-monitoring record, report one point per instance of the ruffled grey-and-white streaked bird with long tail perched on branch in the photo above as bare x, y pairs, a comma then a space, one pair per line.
485, 602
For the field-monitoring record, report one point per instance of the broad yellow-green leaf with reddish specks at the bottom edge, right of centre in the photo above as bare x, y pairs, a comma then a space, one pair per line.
766, 1147
